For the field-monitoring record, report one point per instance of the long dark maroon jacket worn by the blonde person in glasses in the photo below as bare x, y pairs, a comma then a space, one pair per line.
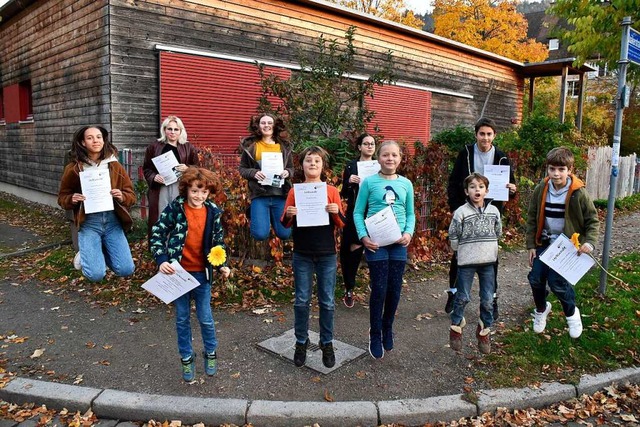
187, 154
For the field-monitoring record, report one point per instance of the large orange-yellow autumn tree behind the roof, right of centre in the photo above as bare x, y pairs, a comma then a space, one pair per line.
494, 26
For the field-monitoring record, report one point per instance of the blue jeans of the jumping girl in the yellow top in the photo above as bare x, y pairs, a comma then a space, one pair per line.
266, 212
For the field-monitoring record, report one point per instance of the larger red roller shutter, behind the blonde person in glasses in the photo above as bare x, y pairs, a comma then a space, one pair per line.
214, 97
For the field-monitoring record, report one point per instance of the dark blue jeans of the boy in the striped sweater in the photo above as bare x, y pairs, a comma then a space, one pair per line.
541, 275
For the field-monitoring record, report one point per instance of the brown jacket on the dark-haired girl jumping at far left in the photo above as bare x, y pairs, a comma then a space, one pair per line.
70, 184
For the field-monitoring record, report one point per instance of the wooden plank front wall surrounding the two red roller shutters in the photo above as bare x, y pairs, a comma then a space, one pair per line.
275, 30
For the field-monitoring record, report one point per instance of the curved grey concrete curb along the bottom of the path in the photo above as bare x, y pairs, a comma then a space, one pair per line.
113, 404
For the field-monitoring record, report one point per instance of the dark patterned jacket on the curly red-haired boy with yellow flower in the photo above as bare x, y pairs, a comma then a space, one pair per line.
169, 234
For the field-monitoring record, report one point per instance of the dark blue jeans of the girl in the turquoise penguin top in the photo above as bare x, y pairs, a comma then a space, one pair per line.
386, 268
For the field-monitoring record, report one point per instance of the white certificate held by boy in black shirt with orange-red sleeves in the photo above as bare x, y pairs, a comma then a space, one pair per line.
311, 201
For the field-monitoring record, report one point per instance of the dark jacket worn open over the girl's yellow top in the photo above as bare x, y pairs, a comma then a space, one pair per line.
249, 166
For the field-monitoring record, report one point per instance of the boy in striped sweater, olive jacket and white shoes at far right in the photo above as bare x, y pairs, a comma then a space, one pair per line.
560, 204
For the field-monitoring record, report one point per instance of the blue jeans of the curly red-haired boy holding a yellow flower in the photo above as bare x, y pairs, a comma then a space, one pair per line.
202, 297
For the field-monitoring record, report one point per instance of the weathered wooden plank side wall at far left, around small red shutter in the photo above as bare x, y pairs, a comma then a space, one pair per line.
62, 47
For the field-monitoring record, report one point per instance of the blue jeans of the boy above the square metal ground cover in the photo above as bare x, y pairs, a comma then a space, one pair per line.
325, 268
